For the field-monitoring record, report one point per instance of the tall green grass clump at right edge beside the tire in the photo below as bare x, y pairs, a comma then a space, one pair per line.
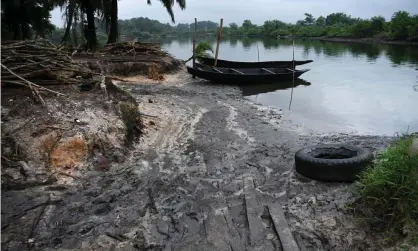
389, 192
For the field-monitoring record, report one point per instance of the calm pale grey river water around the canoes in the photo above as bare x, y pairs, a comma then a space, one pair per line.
353, 88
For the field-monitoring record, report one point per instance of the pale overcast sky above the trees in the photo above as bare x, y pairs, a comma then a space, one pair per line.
257, 11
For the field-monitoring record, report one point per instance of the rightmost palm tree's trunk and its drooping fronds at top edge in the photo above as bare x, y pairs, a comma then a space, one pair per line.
113, 16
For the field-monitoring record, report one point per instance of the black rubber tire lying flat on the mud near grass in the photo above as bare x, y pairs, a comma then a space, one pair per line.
346, 169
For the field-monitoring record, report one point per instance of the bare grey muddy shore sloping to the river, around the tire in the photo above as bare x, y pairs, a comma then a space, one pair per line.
201, 178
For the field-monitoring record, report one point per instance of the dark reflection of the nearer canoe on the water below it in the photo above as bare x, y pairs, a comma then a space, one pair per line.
250, 90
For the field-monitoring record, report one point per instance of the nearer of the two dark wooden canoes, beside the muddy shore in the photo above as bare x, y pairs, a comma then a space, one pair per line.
243, 75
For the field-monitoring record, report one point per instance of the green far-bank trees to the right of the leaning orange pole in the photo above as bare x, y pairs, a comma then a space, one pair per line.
402, 26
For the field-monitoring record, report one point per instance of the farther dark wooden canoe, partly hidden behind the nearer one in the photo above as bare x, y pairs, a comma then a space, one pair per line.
263, 64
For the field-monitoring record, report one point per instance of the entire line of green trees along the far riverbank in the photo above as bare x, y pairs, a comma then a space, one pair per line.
402, 26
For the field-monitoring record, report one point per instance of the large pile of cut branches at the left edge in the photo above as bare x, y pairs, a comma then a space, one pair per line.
37, 63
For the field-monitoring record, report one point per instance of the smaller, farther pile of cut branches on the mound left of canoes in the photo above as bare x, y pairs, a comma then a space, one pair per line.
134, 49
